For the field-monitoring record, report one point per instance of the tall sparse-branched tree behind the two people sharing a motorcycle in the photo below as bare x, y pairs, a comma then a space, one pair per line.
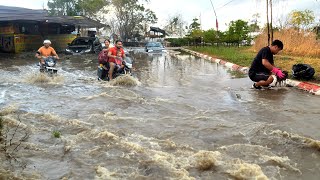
131, 17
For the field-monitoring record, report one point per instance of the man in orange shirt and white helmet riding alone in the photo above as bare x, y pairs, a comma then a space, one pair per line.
45, 51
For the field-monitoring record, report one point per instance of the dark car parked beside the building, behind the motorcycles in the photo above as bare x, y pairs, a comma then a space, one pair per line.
84, 45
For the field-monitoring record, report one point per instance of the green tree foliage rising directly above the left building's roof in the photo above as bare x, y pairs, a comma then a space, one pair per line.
75, 7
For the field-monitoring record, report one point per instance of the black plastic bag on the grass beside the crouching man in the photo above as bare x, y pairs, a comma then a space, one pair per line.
302, 71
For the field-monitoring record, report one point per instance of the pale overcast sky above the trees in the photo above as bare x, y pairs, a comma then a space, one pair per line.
226, 10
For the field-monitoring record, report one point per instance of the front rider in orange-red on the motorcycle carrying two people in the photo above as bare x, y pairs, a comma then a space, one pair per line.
113, 54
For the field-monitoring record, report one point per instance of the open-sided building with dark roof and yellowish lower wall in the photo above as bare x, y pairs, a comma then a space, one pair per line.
24, 29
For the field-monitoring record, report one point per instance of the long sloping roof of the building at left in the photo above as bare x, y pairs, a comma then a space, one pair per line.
8, 13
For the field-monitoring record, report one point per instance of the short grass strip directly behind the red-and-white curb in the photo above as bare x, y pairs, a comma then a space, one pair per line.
244, 56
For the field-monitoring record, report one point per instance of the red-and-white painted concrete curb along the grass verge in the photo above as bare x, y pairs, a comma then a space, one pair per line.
306, 86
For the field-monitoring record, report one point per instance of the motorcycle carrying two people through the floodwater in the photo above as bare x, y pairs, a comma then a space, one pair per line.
103, 70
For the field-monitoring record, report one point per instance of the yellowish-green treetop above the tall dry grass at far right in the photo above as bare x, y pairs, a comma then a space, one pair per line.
301, 19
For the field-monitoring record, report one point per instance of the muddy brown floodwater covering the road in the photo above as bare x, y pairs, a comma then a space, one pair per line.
177, 117
